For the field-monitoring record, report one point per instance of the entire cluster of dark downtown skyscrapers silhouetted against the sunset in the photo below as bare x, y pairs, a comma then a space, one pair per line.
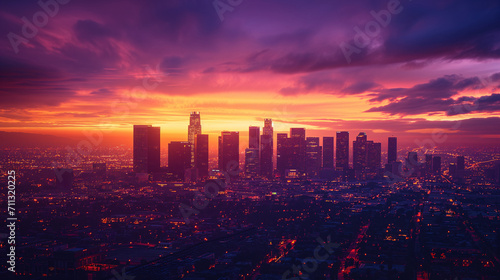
296, 155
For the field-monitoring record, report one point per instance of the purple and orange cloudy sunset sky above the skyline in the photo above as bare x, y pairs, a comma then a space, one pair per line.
110, 64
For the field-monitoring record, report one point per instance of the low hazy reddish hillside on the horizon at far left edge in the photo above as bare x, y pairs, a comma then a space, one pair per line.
24, 140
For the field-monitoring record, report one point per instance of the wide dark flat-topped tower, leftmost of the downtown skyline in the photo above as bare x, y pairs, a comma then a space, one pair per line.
146, 149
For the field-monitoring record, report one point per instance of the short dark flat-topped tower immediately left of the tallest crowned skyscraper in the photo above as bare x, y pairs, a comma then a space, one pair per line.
179, 158
